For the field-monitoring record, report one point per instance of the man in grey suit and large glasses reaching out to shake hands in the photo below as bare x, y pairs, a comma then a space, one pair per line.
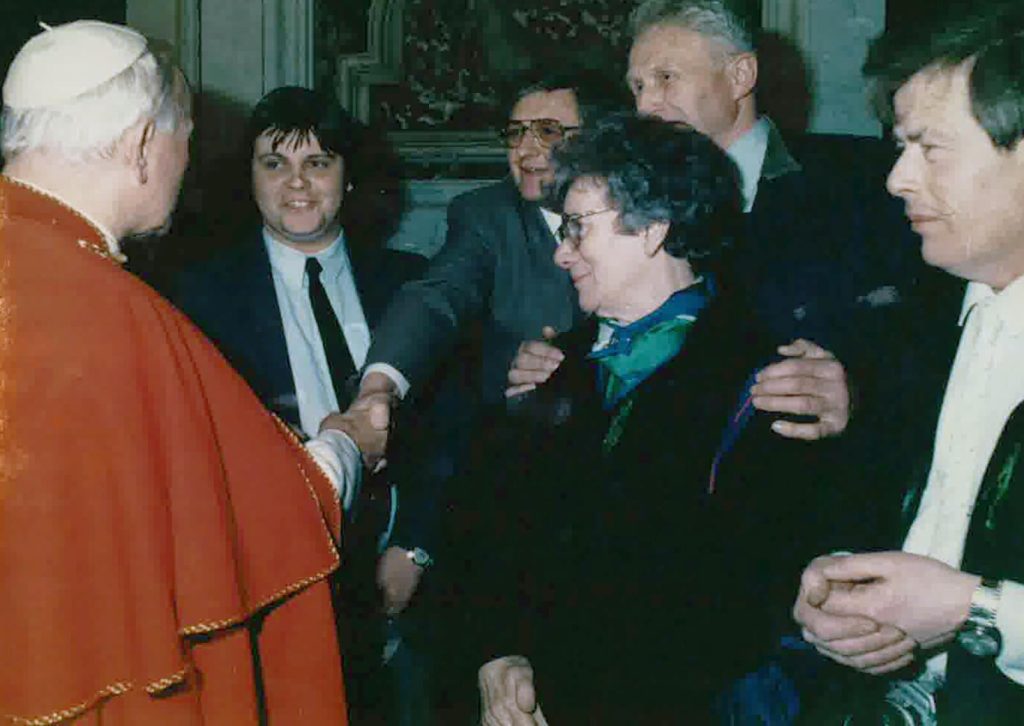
495, 271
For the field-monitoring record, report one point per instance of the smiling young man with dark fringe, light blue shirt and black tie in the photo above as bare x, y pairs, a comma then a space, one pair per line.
292, 305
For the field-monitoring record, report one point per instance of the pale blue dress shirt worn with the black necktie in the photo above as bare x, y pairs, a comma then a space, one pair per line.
306, 352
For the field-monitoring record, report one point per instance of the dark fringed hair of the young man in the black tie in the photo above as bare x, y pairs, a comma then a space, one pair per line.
295, 111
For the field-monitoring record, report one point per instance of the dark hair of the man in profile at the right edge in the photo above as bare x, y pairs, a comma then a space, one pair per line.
990, 35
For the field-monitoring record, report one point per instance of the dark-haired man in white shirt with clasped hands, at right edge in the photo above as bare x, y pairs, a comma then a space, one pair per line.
952, 602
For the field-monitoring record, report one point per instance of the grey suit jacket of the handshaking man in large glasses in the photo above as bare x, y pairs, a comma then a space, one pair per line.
495, 277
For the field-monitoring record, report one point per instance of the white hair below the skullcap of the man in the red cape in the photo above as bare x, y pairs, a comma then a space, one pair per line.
91, 125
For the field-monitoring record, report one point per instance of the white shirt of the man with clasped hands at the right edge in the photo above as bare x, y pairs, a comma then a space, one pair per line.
986, 386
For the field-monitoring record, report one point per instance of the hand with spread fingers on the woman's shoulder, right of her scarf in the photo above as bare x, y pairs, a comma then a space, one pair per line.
809, 382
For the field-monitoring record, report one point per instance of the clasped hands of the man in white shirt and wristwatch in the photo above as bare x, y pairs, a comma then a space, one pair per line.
874, 612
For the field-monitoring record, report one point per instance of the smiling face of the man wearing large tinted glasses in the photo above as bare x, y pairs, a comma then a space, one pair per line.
530, 160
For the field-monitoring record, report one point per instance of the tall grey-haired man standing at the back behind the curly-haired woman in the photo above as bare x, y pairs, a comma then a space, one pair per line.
825, 244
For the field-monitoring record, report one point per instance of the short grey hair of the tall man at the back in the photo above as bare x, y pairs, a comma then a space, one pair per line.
712, 19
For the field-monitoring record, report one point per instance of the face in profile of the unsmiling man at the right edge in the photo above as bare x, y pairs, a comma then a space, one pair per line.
963, 194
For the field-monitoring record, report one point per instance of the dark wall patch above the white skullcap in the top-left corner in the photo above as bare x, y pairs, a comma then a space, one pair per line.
21, 20
